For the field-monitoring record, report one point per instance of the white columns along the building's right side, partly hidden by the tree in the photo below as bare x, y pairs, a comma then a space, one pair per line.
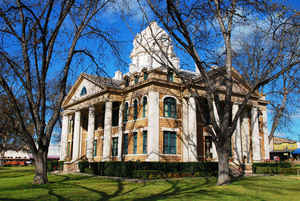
241, 137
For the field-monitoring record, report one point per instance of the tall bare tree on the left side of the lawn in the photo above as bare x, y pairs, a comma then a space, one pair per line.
39, 41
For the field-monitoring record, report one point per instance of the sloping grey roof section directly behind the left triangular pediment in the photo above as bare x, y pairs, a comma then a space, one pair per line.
103, 81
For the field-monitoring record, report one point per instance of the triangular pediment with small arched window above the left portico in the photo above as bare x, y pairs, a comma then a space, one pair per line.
83, 88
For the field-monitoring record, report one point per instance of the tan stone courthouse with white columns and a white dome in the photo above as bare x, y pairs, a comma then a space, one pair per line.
149, 115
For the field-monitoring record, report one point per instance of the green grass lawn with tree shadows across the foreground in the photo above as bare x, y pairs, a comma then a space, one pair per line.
16, 184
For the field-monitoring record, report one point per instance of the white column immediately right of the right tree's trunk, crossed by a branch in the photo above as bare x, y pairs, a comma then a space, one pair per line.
237, 149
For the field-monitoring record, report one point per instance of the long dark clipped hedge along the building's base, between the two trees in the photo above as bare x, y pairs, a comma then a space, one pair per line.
149, 170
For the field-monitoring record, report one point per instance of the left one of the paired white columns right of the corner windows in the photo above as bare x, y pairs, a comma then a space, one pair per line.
185, 131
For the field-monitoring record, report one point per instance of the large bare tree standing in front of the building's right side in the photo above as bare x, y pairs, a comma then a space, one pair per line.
187, 22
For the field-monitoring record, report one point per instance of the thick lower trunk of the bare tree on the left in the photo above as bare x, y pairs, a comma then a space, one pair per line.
40, 162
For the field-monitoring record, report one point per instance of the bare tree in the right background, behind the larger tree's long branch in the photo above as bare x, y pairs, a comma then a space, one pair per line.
278, 34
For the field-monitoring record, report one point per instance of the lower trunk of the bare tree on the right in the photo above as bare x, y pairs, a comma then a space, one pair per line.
223, 164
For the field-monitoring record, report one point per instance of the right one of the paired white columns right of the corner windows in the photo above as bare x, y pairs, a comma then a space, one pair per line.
192, 142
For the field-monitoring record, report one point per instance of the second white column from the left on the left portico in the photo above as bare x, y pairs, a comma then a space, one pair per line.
76, 140
